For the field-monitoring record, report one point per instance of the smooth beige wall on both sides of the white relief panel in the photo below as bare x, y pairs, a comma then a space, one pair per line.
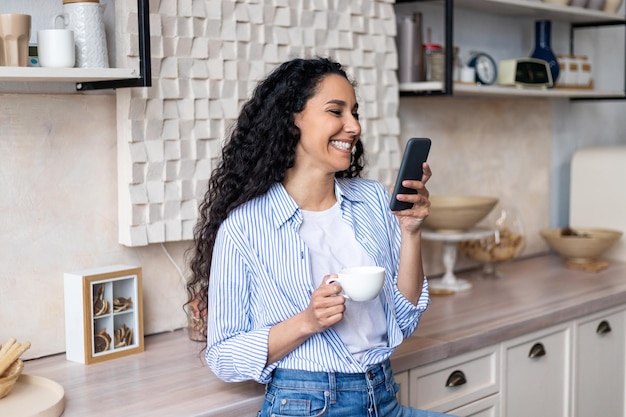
58, 203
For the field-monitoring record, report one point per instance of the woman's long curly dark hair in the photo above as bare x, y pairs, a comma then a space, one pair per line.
260, 149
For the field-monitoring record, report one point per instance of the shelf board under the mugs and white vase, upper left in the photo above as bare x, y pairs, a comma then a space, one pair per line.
74, 75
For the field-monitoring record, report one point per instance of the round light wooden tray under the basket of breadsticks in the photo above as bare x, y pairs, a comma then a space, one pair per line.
34, 396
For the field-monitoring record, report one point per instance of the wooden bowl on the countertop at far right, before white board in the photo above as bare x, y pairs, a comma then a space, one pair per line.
585, 246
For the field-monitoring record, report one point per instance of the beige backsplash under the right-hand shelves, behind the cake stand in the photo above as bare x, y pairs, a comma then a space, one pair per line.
486, 147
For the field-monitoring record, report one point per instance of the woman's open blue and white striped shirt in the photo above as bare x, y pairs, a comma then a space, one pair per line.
260, 276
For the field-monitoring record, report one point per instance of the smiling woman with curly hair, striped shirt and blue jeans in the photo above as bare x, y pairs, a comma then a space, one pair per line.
284, 211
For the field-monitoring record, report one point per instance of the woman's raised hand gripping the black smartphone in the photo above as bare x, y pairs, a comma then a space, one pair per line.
411, 219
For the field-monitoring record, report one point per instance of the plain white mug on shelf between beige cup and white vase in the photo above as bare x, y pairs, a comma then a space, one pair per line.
55, 48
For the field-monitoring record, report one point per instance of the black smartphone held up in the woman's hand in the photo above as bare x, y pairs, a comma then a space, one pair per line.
415, 154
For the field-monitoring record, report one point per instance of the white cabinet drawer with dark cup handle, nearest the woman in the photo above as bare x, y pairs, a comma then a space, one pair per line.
451, 383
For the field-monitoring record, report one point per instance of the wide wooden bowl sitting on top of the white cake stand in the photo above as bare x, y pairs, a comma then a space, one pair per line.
456, 214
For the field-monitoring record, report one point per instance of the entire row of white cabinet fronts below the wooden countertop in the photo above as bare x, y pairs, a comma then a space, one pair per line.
576, 368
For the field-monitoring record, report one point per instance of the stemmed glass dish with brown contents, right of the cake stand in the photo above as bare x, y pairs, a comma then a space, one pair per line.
506, 243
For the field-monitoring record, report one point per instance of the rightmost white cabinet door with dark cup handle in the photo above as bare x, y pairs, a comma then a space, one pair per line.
600, 365
